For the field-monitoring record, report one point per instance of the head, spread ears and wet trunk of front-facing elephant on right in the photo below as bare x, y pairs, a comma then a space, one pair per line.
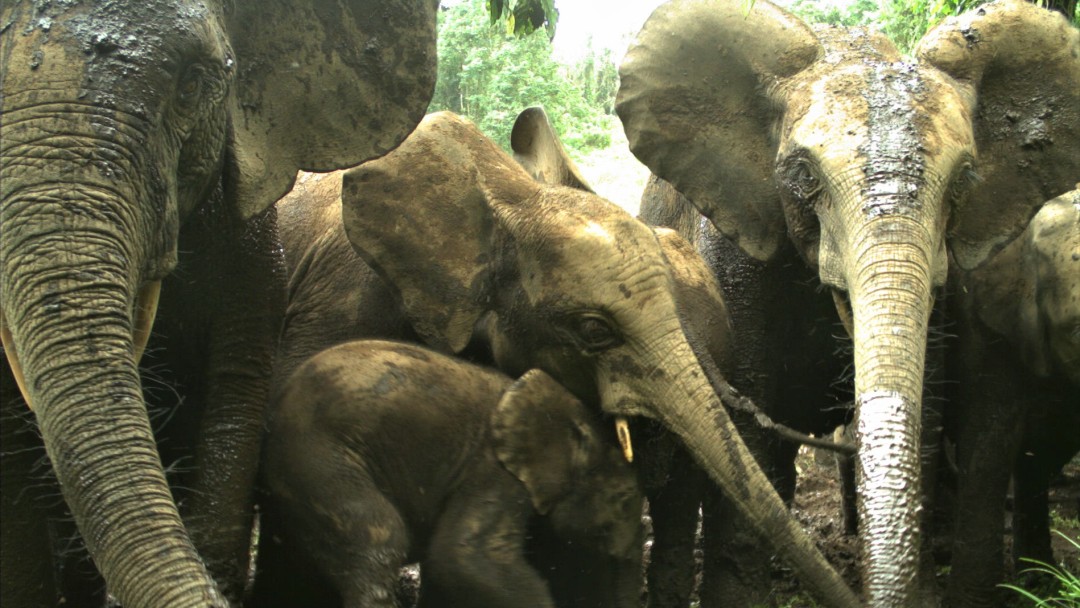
826, 150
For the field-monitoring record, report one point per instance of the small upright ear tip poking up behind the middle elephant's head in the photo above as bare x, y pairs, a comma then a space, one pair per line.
539, 151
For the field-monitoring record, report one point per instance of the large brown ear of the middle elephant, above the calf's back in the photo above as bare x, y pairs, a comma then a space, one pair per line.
423, 218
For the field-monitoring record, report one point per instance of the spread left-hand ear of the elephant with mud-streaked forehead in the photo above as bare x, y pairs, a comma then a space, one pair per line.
695, 102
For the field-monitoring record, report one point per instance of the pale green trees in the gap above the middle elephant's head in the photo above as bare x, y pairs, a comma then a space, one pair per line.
490, 76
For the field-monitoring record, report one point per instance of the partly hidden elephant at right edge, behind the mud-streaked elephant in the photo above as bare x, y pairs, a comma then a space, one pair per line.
1017, 375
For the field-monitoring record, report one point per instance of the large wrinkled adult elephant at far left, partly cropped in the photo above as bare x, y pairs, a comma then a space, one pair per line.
142, 139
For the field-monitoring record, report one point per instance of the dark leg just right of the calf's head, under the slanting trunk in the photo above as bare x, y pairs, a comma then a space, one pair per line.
674, 509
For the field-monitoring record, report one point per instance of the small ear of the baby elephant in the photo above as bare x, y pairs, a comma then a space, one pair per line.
542, 435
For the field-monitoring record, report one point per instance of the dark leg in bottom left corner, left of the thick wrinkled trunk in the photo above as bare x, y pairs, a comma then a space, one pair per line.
26, 557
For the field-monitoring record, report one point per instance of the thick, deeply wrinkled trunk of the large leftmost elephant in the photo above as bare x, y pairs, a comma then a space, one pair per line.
69, 305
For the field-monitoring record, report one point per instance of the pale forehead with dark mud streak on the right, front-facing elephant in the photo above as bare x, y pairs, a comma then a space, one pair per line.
887, 127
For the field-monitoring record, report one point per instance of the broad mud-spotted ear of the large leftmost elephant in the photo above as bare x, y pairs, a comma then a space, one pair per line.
323, 85
